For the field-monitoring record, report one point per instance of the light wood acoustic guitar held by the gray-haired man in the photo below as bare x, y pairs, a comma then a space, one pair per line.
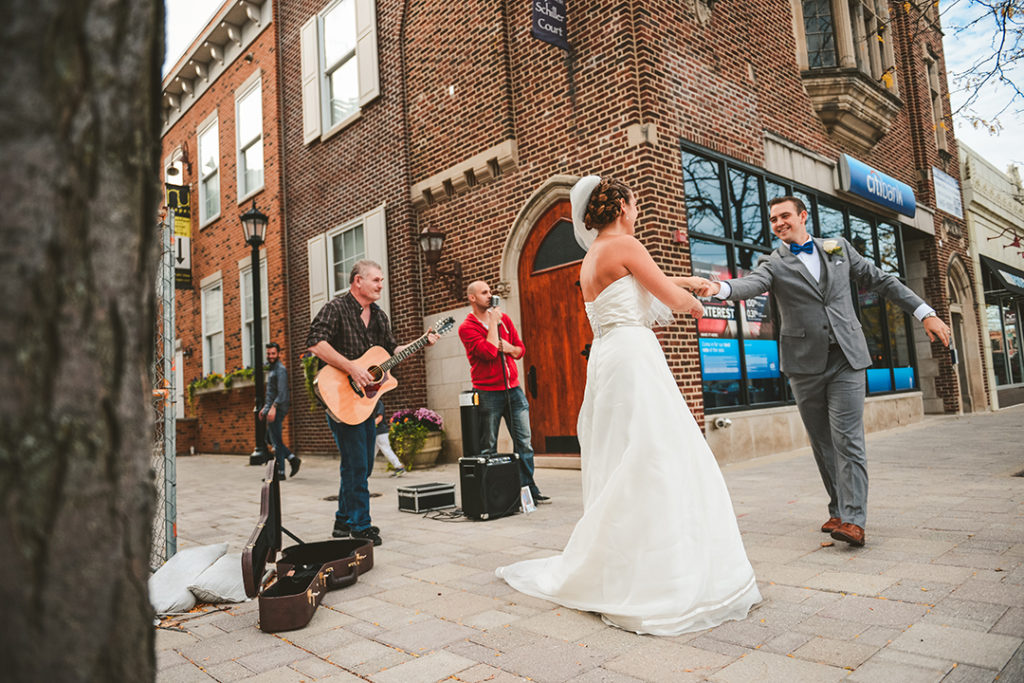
342, 396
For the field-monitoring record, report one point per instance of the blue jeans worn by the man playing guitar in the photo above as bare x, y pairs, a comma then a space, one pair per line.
356, 444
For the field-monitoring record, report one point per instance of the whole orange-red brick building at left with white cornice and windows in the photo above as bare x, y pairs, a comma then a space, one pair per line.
222, 140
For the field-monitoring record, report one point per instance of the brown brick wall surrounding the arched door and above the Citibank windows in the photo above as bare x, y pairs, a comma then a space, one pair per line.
720, 86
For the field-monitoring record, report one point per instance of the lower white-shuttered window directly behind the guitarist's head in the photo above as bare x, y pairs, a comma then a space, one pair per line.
332, 255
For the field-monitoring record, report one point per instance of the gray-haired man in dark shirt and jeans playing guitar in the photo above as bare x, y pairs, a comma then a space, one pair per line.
346, 328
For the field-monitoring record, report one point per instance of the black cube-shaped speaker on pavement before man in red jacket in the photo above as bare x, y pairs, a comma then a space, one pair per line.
490, 486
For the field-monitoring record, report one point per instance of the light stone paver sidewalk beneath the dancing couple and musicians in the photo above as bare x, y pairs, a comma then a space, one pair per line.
937, 594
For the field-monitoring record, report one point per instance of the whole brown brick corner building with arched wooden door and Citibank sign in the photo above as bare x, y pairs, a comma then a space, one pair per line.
403, 118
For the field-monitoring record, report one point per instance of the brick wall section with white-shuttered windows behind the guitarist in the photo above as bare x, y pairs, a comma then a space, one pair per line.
331, 182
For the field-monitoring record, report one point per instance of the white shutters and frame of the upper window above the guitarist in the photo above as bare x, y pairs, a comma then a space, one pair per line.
316, 109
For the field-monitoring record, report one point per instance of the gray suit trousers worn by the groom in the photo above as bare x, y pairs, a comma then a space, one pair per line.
832, 406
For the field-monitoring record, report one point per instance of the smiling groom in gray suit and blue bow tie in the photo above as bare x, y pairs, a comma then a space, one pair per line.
824, 351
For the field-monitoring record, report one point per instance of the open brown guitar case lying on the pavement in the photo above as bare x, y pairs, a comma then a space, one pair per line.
305, 572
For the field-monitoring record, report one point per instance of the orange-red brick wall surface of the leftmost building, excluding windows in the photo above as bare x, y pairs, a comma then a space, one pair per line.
225, 420
